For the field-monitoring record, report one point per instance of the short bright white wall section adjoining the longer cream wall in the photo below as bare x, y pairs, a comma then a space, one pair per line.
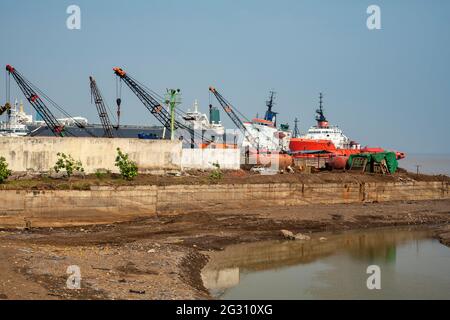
205, 158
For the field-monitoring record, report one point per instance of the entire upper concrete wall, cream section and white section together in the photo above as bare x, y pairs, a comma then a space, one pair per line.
39, 154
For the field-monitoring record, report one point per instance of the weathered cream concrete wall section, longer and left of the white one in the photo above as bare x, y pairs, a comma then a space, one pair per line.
40, 153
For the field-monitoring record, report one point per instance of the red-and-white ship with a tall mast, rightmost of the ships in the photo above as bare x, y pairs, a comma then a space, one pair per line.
327, 141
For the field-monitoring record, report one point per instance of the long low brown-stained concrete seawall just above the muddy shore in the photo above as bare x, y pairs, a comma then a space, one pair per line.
109, 204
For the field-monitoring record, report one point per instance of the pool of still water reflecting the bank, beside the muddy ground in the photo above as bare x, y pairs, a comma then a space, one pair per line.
412, 265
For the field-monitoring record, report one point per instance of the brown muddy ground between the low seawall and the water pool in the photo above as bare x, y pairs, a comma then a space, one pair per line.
161, 257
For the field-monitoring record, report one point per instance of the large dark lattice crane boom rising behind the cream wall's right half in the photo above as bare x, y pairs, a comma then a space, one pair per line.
155, 107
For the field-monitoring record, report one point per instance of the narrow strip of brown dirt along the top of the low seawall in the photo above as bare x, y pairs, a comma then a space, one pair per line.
24, 182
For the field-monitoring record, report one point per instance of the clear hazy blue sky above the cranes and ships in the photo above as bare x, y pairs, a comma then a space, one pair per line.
388, 87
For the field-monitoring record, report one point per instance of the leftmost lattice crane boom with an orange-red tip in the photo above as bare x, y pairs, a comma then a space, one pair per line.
37, 103
